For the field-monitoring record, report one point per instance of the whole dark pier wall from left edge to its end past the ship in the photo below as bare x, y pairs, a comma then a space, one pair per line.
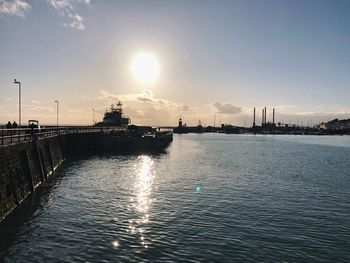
26, 164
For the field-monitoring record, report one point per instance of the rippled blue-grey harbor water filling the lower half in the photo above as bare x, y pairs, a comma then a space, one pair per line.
210, 198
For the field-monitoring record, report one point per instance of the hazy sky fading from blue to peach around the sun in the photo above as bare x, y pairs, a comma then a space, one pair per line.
216, 58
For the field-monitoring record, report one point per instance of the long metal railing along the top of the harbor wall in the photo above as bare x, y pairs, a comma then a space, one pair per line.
9, 136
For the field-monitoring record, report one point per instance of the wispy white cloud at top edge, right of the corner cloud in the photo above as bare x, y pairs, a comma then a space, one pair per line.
67, 8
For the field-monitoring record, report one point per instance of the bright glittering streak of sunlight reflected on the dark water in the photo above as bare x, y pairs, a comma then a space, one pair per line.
142, 200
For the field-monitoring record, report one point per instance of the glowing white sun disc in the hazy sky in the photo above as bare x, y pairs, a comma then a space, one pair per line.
145, 68
